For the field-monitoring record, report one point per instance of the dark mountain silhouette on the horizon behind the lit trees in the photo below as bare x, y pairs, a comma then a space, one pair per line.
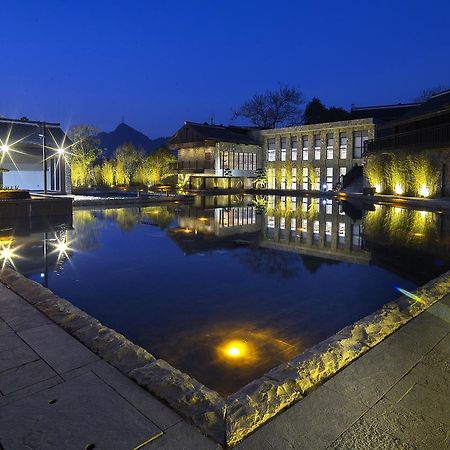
125, 134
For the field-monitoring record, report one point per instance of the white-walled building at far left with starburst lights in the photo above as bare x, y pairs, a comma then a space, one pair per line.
34, 156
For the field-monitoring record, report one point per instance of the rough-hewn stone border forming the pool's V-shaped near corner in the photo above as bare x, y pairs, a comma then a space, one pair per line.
228, 422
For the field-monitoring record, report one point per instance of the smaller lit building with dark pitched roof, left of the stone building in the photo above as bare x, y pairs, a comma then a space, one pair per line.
216, 156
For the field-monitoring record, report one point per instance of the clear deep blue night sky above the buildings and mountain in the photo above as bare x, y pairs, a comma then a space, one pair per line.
158, 63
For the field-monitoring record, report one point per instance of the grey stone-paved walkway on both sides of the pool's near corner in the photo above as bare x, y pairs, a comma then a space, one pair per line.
56, 394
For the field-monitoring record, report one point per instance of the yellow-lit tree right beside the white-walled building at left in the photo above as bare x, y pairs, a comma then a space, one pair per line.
84, 152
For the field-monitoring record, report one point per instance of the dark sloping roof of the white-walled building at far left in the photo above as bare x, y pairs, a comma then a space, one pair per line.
27, 132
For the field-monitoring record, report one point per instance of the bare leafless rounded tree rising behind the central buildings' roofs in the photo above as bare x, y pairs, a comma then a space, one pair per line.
280, 107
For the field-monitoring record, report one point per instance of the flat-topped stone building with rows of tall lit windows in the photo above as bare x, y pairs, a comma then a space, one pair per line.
314, 157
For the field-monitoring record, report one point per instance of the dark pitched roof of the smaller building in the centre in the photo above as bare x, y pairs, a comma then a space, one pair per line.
199, 132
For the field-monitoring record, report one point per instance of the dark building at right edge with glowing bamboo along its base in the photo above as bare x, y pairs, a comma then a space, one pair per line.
410, 155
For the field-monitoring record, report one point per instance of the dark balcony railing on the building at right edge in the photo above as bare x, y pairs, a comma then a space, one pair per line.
426, 137
